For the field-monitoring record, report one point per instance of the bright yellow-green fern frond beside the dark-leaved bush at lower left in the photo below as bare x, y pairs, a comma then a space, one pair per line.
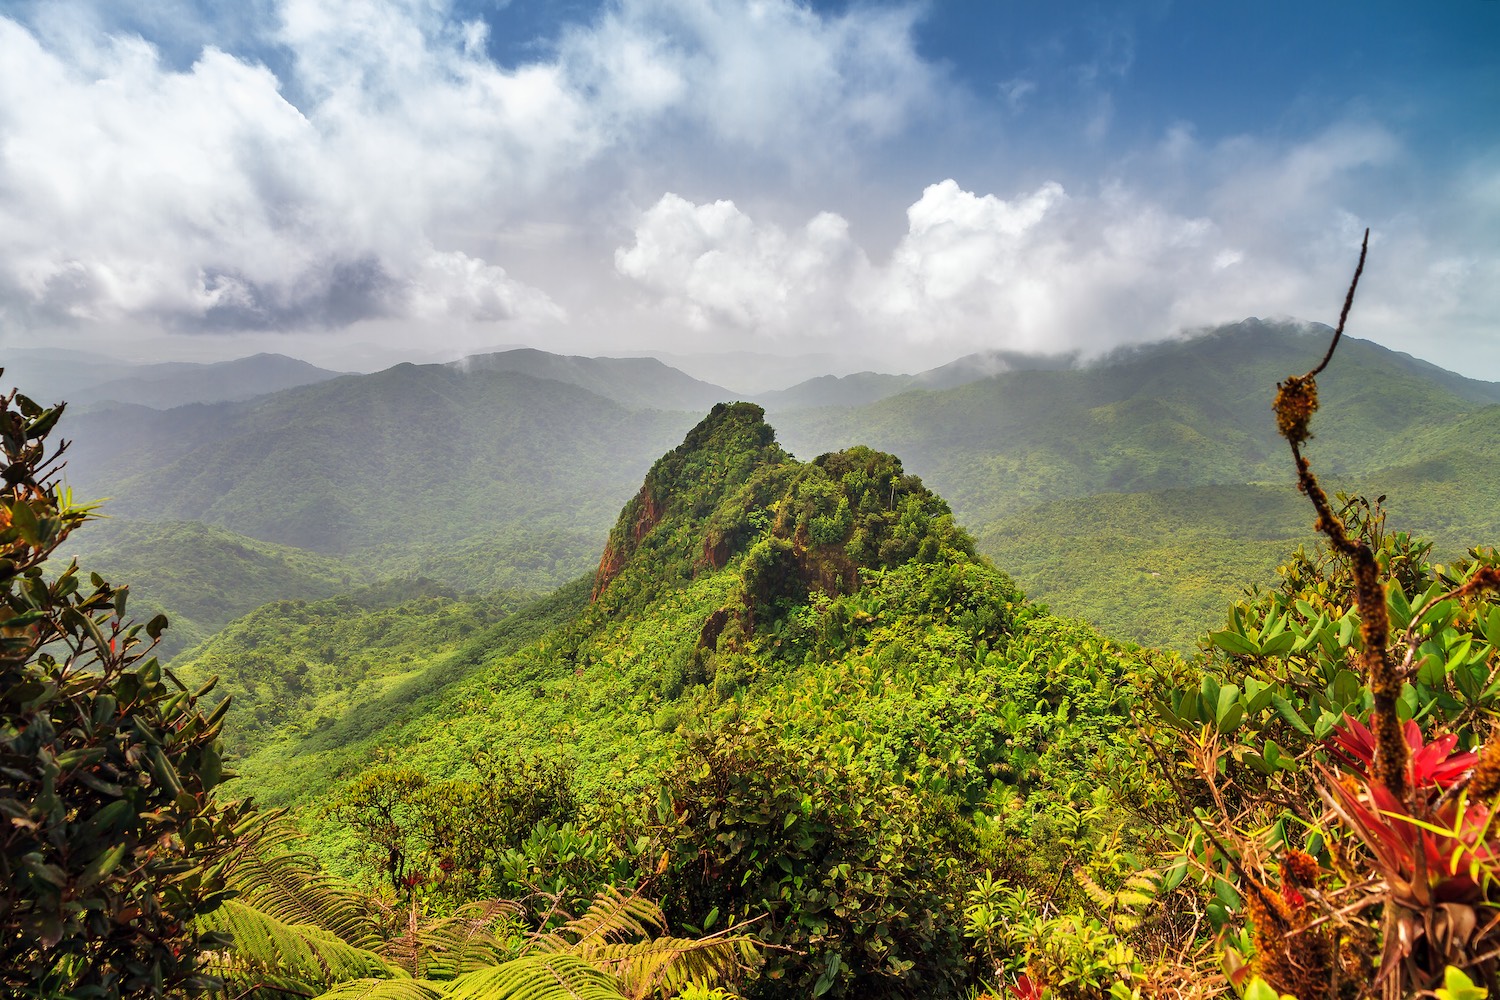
269, 950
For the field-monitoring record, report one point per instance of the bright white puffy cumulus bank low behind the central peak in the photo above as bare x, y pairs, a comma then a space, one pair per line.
1037, 272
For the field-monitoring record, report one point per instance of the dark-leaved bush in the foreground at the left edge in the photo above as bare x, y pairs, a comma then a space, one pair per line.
110, 837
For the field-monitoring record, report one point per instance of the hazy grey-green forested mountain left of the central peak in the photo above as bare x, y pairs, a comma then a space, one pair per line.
395, 466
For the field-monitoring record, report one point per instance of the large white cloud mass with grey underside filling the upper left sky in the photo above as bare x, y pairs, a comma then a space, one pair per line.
377, 175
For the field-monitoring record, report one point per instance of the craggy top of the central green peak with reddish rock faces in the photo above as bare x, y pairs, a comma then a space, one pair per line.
731, 496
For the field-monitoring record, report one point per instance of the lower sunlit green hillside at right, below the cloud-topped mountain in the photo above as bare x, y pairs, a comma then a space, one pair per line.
1160, 567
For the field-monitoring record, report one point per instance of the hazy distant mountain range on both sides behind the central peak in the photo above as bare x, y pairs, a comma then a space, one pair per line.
506, 470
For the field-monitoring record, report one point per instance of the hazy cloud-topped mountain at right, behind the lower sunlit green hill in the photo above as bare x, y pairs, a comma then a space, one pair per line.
1171, 416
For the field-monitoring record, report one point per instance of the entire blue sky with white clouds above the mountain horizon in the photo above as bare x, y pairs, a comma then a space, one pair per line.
896, 184
